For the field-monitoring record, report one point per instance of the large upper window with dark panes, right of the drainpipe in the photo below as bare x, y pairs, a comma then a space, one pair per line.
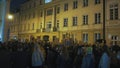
114, 14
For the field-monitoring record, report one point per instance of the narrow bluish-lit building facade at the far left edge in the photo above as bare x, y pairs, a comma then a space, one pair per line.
4, 10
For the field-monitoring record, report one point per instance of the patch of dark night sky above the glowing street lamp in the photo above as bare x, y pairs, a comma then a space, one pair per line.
15, 4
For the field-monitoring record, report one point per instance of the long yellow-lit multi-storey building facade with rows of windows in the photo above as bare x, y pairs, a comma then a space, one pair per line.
80, 20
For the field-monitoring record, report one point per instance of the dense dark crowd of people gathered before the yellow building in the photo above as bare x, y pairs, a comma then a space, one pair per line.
41, 54
